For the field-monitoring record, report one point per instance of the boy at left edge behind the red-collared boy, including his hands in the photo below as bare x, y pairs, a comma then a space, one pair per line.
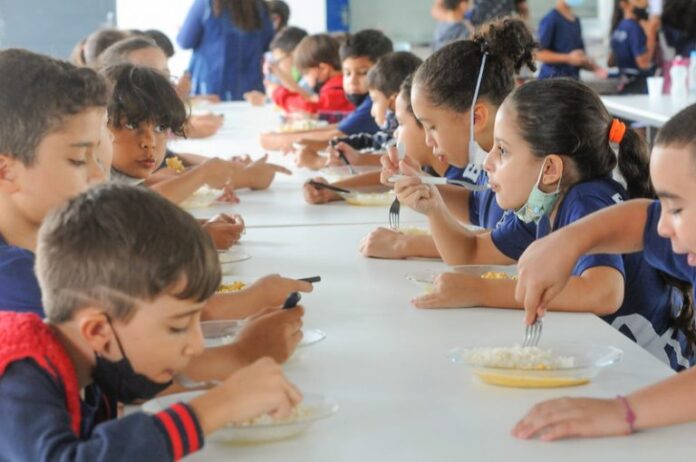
55, 144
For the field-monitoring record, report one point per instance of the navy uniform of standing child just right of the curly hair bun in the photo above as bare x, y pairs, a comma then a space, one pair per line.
558, 34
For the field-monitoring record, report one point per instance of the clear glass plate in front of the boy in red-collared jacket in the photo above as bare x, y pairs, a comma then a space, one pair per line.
315, 407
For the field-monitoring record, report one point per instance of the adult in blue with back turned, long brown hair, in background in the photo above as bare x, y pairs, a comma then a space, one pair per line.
228, 38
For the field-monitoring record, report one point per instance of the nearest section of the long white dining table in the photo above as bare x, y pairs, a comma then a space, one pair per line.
385, 363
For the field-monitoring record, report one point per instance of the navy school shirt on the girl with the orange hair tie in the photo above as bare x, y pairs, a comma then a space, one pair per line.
649, 302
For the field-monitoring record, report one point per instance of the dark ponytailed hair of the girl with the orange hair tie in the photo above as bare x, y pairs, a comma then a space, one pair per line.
566, 117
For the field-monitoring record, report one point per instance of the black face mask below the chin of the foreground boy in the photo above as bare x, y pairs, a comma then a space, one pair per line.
118, 379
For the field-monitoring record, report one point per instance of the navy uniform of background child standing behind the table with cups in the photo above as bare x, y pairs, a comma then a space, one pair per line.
629, 41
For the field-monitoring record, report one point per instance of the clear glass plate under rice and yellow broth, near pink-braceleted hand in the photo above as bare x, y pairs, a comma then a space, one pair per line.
589, 360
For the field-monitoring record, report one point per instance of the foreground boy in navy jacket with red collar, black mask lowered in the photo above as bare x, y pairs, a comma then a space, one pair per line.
122, 321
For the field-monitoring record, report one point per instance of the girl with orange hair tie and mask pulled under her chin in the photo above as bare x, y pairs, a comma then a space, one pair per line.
551, 165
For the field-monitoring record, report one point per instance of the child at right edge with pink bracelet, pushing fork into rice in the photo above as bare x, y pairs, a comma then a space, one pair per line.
664, 231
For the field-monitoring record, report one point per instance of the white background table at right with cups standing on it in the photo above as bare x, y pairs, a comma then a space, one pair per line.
642, 108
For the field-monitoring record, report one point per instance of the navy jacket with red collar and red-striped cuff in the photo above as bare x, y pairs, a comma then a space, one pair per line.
38, 422
